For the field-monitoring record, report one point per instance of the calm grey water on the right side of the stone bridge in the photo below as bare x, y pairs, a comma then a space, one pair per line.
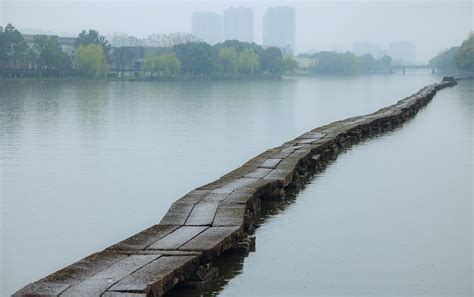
393, 216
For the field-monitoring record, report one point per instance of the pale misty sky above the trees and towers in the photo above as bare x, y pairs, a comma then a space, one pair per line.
320, 25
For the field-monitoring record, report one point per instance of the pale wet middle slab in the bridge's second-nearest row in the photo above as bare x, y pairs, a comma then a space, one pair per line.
177, 238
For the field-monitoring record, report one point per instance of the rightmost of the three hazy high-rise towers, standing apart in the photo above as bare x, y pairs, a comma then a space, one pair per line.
279, 27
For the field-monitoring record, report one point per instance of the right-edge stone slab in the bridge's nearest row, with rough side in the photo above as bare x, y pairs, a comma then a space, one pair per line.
157, 277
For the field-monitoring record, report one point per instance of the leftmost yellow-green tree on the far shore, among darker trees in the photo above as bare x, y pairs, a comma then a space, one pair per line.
91, 59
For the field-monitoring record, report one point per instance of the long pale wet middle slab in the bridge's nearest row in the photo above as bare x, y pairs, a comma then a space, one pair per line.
100, 282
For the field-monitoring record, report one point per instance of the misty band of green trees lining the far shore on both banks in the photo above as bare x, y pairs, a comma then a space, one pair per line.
90, 56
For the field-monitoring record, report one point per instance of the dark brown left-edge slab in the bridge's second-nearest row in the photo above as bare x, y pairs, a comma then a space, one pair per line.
142, 240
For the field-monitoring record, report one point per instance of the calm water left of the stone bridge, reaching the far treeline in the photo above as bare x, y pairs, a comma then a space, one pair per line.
86, 164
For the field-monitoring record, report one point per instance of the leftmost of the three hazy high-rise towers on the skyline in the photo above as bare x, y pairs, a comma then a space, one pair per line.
208, 26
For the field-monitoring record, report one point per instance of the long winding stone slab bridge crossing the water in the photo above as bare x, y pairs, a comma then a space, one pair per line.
218, 216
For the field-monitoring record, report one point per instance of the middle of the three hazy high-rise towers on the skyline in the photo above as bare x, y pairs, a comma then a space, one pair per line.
238, 24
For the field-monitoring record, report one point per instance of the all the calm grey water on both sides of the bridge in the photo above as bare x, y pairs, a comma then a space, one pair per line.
86, 164
